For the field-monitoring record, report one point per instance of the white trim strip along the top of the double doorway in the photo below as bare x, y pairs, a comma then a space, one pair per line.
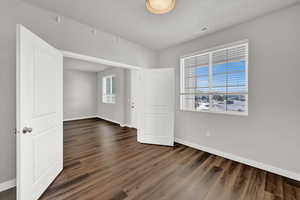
69, 54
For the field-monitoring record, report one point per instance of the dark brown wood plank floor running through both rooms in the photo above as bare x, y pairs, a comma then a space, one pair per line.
103, 161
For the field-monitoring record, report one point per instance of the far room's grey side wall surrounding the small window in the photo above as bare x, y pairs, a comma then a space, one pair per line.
117, 112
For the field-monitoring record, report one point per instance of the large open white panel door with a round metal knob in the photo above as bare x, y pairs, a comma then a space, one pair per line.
39, 114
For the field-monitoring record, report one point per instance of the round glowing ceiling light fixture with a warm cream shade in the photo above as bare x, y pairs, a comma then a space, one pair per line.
160, 6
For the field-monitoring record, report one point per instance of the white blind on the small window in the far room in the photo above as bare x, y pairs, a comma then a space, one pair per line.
108, 90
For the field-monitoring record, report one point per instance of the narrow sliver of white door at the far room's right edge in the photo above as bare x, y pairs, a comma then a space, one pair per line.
134, 98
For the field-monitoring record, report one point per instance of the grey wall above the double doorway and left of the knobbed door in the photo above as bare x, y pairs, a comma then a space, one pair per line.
69, 35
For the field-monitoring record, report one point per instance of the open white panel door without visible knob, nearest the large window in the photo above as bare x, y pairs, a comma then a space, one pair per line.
156, 106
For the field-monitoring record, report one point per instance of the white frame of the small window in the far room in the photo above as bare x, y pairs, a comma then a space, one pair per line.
112, 96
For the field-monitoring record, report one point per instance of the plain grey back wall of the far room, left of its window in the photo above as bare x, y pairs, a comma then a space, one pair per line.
80, 94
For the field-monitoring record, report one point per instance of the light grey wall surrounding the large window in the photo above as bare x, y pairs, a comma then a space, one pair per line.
271, 132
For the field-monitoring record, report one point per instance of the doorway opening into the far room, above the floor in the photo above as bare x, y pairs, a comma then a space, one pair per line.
99, 88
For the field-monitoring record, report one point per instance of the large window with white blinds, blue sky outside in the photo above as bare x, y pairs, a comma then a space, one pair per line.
216, 81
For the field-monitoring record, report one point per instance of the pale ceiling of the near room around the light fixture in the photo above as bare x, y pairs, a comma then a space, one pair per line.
130, 20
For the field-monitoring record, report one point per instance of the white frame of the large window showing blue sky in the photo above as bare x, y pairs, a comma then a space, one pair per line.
210, 52
